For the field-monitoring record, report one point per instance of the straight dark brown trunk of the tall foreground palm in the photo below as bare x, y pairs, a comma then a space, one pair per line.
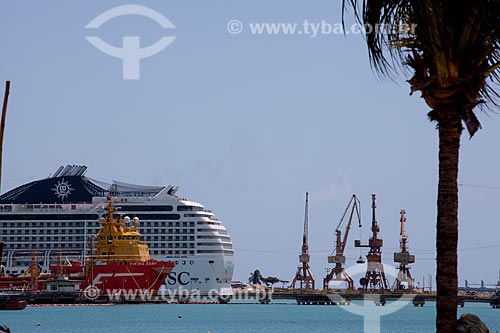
450, 130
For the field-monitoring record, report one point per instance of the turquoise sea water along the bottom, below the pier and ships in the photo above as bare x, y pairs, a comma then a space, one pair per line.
217, 318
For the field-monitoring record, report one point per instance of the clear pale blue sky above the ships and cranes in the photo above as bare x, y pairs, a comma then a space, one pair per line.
244, 123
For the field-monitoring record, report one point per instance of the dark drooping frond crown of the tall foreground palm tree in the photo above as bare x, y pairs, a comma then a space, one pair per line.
453, 48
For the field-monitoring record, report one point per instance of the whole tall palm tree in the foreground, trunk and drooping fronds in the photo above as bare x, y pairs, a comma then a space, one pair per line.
452, 49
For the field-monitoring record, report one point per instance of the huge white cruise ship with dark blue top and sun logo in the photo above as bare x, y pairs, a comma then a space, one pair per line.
57, 217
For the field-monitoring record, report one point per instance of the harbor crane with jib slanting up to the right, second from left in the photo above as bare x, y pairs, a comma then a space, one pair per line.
338, 273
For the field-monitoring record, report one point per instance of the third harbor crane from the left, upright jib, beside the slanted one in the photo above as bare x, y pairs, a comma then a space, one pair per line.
374, 278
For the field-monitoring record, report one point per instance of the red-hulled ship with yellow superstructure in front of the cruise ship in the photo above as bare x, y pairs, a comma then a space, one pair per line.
120, 262
